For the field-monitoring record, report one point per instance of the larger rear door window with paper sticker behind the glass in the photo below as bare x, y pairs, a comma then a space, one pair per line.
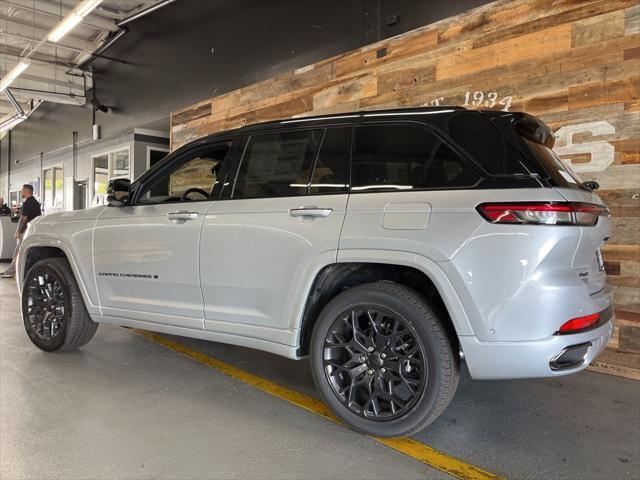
277, 164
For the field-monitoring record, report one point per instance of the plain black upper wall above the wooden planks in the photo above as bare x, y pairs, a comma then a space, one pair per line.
191, 50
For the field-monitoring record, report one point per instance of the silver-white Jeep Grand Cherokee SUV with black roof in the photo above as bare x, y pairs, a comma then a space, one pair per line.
385, 245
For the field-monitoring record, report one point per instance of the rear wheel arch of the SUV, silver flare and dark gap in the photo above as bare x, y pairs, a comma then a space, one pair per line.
358, 268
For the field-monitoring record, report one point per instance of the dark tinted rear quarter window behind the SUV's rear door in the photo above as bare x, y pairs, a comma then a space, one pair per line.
406, 157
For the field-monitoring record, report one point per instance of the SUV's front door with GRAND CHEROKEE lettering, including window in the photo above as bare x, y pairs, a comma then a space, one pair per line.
146, 254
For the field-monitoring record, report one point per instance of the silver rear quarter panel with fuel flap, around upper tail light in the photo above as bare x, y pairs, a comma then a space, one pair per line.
491, 269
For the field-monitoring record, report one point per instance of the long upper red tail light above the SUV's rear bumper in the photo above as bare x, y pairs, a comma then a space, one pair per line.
543, 213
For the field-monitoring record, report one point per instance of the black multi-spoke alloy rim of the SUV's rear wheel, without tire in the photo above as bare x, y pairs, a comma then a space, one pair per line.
375, 363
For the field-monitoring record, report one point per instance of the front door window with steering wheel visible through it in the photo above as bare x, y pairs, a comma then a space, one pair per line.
193, 178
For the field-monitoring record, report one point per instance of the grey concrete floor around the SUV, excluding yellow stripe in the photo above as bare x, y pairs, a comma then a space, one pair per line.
123, 407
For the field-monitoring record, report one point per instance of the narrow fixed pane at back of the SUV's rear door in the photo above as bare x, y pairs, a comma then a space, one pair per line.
331, 172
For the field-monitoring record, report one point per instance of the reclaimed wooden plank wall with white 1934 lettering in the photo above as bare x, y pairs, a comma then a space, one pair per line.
575, 64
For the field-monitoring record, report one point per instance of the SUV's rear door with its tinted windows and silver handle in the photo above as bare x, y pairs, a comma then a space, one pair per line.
261, 248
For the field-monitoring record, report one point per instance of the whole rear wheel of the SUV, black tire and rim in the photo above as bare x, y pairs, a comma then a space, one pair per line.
335, 355
